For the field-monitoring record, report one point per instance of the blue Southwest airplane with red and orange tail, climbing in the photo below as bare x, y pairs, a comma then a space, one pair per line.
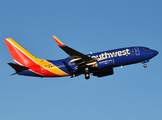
98, 64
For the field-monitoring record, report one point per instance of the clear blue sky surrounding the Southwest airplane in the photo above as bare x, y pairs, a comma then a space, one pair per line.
132, 93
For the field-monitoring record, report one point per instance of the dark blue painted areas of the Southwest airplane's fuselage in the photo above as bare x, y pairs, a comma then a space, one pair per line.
116, 57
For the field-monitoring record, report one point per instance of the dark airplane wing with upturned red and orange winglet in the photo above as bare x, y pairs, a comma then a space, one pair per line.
77, 57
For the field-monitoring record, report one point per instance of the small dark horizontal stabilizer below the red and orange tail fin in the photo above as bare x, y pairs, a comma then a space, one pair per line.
18, 68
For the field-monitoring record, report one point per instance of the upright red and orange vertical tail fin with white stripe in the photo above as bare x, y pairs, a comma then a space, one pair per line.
19, 54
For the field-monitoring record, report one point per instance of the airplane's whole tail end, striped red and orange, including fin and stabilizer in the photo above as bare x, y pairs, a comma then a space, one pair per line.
29, 64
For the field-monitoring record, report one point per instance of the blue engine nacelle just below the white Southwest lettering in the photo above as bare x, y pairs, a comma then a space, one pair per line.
104, 63
